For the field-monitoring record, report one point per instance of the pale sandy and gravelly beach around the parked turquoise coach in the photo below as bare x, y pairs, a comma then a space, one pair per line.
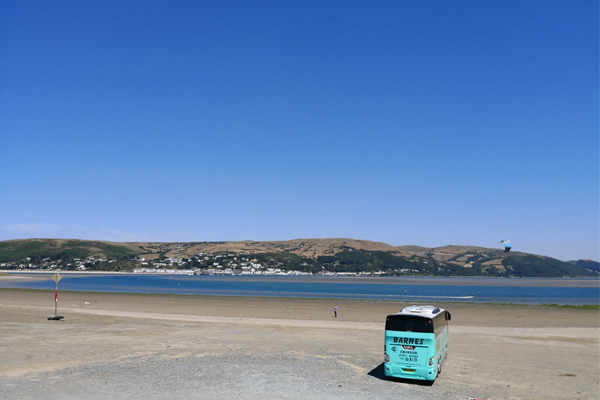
135, 346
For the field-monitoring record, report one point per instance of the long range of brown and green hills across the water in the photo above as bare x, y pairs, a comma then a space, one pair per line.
308, 255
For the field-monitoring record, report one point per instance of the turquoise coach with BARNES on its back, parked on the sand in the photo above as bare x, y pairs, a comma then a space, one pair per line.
416, 342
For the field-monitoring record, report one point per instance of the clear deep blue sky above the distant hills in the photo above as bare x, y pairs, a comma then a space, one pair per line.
406, 122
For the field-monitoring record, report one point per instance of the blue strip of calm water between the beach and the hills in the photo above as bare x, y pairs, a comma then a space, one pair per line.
381, 288
